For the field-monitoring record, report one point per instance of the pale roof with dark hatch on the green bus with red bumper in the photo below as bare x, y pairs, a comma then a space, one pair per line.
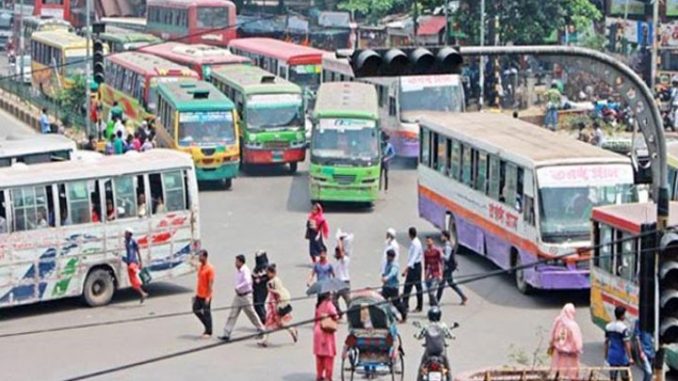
251, 80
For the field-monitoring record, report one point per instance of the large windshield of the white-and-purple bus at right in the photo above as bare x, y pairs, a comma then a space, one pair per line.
568, 193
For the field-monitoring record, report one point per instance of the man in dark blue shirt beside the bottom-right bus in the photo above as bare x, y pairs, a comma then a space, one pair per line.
618, 344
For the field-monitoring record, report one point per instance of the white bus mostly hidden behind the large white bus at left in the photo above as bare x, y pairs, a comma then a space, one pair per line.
34, 149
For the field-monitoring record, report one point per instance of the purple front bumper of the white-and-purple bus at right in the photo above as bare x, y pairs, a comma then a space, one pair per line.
559, 278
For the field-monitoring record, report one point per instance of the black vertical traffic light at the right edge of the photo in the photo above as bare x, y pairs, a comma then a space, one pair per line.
668, 289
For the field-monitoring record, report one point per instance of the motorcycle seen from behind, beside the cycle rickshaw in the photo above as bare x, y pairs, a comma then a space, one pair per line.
434, 364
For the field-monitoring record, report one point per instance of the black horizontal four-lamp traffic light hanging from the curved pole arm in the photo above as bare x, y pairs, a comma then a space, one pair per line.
398, 62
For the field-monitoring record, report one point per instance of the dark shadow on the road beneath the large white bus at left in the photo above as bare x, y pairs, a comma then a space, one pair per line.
156, 290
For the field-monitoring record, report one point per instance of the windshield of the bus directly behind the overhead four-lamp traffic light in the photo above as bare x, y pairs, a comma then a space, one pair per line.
429, 93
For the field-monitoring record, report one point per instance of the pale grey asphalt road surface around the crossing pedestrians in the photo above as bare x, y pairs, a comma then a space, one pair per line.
267, 210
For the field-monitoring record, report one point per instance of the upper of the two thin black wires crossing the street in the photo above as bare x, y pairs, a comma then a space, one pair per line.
461, 279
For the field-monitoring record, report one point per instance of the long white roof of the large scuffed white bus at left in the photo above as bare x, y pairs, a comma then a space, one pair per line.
93, 167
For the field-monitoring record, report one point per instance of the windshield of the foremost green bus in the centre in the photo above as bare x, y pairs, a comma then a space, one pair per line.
347, 141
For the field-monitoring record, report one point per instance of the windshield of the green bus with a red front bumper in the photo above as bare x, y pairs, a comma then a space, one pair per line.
274, 111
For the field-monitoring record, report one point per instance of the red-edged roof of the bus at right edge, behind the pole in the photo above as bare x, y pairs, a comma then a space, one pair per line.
630, 217
